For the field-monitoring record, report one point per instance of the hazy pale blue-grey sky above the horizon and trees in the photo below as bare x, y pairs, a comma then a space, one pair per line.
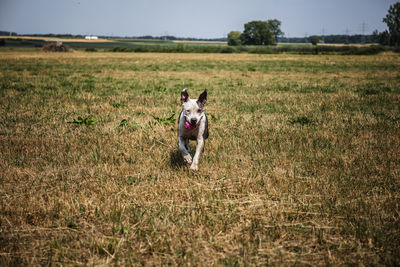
190, 18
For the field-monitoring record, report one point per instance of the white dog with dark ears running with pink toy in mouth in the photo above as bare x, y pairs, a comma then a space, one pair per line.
192, 125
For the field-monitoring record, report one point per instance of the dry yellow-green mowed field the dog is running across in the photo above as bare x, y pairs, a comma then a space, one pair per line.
302, 166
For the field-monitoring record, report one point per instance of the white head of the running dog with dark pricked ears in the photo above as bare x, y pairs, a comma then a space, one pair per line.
193, 108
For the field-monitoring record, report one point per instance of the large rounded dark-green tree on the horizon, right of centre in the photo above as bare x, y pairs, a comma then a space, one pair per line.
257, 33
